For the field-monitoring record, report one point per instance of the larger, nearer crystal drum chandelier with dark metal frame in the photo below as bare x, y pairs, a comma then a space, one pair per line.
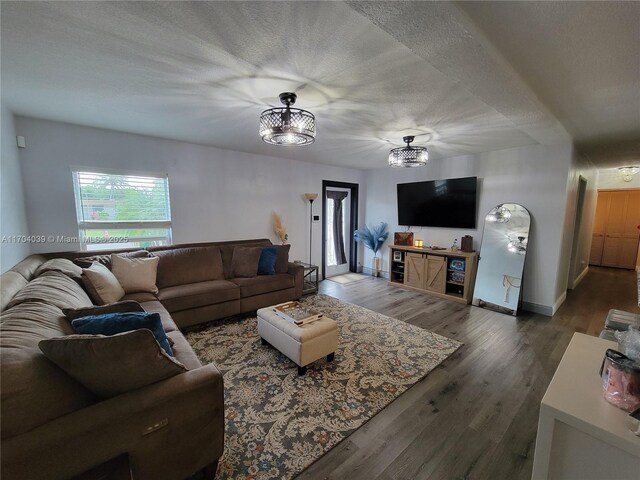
287, 126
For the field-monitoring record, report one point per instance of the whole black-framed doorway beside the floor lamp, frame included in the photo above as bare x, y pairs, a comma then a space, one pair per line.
340, 218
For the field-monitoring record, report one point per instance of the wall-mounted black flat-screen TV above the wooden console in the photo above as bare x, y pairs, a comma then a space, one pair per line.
438, 203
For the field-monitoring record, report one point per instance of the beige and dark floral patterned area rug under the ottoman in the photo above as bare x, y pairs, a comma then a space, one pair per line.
278, 423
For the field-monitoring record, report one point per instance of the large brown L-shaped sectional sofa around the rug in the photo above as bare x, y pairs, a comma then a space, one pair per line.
54, 428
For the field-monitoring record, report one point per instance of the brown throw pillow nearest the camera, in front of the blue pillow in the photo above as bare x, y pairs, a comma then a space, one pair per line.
111, 365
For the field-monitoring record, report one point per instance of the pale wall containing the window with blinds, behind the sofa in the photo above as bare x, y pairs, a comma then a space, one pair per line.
215, 194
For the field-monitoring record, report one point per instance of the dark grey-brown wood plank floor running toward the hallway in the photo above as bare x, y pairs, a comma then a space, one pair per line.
474, 417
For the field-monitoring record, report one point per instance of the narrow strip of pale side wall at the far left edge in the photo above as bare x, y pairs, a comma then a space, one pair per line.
13, 215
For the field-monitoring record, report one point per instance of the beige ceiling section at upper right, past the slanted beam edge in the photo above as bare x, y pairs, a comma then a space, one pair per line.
582, 59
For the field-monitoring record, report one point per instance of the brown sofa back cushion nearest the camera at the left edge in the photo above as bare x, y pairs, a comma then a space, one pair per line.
34, 390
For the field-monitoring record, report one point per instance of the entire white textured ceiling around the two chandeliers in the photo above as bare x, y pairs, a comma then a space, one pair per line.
463, 78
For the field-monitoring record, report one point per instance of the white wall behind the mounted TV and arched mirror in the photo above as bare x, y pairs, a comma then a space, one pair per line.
535, 177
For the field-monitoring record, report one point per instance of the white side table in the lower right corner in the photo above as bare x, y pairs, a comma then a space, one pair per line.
580, 434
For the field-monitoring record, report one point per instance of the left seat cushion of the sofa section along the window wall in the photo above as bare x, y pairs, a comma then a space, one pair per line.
184, 297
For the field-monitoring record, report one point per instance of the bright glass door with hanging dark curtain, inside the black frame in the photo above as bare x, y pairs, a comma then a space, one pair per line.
337, 227
